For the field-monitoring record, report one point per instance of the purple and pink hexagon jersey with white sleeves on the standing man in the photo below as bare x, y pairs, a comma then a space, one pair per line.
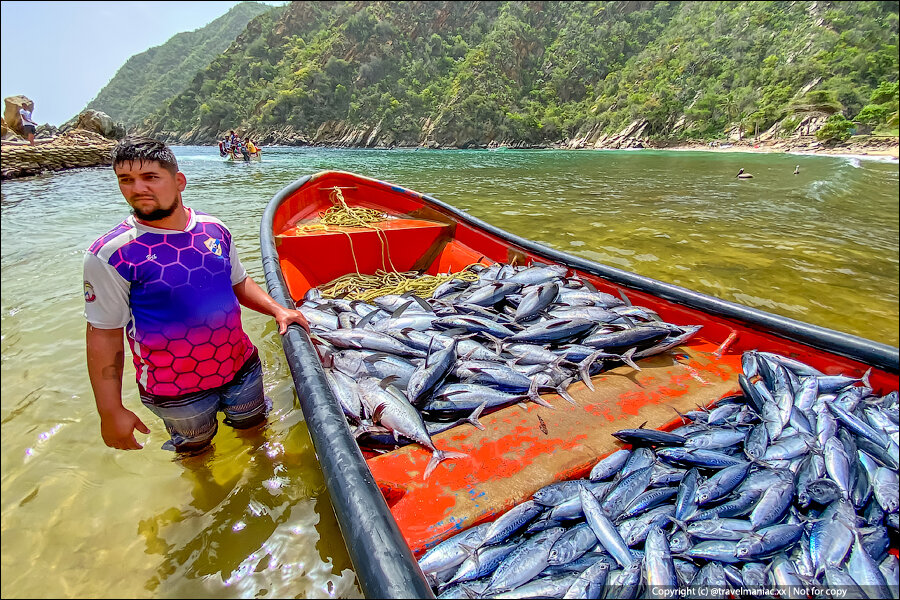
172, 291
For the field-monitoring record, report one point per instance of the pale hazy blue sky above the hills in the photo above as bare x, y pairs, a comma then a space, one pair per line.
61, 54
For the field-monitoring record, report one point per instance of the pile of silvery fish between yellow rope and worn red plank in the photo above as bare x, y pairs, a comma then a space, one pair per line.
406, 368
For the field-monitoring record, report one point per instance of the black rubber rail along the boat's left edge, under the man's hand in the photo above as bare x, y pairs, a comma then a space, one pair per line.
384, 564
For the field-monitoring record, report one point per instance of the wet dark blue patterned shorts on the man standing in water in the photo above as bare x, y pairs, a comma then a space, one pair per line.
191, 420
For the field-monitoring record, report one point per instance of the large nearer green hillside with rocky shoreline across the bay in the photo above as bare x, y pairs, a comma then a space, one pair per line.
529, 73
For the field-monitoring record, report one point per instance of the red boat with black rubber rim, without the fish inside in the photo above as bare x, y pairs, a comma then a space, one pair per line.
387, 512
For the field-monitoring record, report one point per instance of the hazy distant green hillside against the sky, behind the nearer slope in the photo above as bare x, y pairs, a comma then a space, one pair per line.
150, 78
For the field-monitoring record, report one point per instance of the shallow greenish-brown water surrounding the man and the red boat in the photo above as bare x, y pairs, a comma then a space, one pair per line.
252, 518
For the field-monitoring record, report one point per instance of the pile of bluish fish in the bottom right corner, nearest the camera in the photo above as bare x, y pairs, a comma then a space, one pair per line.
790, 486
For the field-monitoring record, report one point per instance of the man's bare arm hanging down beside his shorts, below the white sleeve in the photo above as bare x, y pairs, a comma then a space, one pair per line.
106, 360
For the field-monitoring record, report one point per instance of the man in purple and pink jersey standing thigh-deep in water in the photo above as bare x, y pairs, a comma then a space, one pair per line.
170, 279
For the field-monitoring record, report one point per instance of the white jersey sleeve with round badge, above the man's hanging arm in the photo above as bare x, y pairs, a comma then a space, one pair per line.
105, 294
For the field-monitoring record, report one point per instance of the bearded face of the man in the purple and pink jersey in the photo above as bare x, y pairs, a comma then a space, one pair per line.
152, 191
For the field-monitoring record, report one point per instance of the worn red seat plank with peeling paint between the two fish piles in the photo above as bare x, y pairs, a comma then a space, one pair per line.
524, 449
